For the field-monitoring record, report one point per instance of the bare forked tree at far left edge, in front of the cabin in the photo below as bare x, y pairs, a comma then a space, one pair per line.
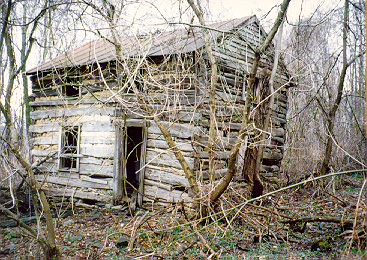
15, 156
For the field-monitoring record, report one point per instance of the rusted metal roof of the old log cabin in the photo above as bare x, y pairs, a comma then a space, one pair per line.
174, 42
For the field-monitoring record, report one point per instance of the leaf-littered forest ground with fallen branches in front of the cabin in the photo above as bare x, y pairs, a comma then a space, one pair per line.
304, 222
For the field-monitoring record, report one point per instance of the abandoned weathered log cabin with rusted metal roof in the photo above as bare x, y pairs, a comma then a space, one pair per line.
95, 139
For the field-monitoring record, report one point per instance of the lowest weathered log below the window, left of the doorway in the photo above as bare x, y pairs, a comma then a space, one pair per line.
65, 192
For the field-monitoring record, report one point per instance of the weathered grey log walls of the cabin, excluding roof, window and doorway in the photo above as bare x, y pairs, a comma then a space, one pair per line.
188, 120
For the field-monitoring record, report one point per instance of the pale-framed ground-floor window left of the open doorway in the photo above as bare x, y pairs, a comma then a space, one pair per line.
69, 148
